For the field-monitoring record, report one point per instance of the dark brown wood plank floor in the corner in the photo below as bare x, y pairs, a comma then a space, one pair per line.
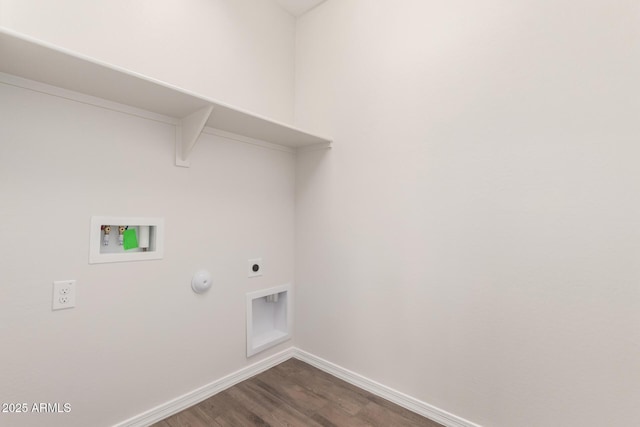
295, 394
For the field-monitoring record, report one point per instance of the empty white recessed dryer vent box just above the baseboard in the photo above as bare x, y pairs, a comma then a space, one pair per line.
269, 314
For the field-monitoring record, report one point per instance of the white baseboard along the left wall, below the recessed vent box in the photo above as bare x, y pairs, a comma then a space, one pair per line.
196, 396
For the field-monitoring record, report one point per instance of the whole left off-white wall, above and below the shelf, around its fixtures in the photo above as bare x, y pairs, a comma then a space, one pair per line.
138, 336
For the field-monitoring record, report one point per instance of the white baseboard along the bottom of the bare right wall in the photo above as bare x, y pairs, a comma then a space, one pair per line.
429, 411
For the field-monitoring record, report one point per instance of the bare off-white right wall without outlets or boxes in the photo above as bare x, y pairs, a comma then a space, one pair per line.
472, 238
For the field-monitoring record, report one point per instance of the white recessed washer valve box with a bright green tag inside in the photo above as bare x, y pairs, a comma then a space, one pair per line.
120, 239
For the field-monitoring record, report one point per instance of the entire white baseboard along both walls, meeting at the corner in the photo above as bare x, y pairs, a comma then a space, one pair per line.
191, 398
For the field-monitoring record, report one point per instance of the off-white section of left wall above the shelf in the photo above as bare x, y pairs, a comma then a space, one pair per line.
237, 51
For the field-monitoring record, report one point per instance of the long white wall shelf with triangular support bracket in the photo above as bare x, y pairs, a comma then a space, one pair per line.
26, 57
